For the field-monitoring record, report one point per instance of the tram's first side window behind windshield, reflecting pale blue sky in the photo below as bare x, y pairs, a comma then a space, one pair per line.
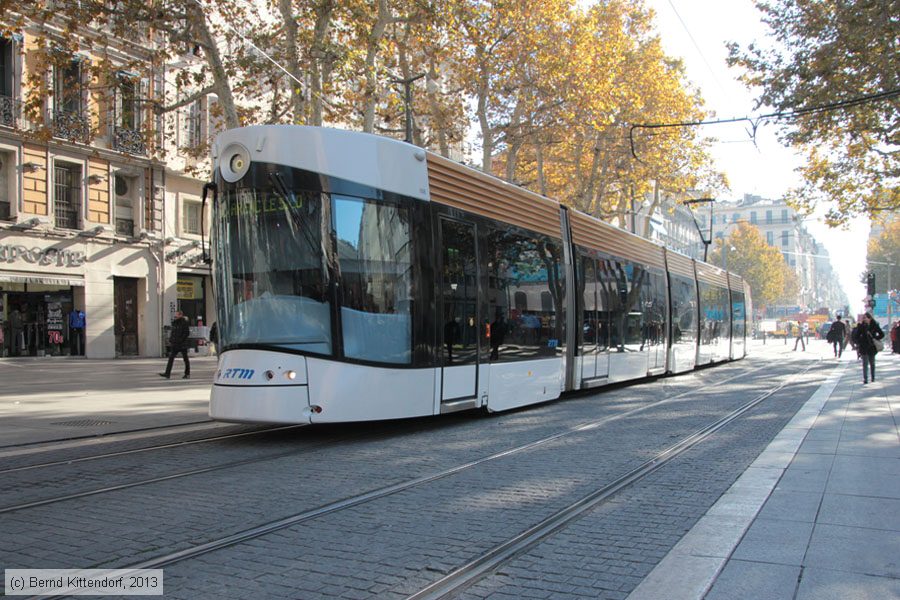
374, 252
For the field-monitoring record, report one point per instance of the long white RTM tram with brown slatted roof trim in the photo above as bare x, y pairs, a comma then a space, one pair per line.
361, 278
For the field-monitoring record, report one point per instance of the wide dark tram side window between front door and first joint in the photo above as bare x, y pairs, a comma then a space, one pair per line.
526, 291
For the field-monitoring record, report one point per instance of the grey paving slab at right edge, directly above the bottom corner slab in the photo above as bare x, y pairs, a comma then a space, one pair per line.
855, 550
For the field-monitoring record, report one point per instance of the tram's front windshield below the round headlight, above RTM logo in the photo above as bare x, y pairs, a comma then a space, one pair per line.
272, 279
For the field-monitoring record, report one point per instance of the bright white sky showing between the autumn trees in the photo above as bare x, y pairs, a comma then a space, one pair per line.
697, 31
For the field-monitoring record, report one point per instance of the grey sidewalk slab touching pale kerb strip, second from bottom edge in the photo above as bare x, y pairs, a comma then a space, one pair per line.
775, 541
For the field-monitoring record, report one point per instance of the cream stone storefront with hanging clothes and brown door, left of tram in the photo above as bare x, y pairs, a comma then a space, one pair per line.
68, 296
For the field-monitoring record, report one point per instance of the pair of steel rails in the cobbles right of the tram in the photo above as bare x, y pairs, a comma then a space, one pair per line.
486, 561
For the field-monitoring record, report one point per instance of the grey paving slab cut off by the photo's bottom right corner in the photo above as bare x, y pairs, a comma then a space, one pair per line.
823, 584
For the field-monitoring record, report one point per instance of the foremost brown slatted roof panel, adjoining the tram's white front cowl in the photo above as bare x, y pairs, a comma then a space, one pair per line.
458, 186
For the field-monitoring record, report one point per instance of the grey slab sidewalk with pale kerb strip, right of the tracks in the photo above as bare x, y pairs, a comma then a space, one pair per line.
817, 515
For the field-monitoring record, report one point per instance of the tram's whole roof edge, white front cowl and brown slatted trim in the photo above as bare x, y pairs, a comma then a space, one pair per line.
399, 167
